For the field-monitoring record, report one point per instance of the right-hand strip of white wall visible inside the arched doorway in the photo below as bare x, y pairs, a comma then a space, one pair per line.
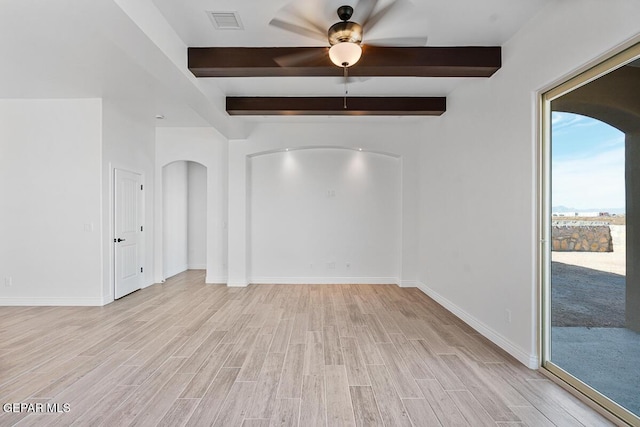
197, 220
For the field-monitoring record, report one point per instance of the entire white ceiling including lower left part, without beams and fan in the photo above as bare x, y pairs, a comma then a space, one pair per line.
136, 49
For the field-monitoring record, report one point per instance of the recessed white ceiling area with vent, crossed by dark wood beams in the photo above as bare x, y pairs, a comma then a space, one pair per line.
445, 23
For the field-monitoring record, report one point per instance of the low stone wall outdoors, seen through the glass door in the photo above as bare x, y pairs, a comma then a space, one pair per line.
574, 236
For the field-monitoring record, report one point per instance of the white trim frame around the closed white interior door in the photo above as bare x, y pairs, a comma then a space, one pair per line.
111, 229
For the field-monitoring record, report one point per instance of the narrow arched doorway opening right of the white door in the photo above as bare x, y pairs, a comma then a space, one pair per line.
184, 219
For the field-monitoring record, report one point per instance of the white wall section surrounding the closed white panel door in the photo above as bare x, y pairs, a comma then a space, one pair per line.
128, 143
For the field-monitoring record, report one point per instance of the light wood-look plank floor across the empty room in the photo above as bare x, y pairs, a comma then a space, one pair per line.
186, 353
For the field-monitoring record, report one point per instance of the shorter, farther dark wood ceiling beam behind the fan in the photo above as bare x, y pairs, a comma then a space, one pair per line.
334, 106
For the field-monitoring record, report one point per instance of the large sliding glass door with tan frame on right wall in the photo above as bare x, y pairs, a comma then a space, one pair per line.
591, 233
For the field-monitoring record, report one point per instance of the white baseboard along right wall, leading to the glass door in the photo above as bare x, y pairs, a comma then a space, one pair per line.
529, 360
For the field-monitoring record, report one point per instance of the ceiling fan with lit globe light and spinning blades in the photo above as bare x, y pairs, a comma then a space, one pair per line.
345, 37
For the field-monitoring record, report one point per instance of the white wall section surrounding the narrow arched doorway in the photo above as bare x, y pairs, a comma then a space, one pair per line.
207, 147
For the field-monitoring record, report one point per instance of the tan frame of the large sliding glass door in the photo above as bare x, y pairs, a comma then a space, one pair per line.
604, 65
